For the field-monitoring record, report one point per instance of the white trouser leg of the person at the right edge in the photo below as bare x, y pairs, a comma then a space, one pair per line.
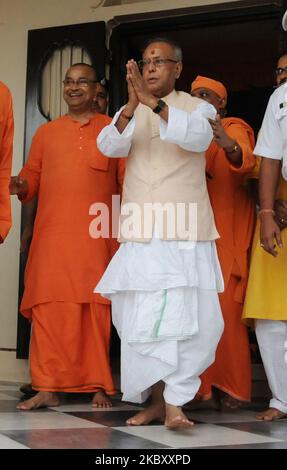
272, 340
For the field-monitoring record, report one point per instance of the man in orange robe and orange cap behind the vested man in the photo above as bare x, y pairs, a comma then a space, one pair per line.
228, 160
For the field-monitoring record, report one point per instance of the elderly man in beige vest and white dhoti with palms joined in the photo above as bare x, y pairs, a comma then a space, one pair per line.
163, 283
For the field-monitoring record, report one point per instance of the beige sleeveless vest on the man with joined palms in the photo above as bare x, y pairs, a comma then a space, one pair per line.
164, 184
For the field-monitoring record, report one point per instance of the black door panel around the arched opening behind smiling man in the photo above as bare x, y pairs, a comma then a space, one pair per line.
41, 45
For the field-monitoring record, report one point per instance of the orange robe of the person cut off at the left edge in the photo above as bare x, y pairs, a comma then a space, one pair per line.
6, 152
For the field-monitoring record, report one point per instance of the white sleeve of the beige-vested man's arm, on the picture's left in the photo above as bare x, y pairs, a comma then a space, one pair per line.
113, 144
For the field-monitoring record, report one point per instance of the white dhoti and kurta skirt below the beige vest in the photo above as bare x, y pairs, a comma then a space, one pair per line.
167, 313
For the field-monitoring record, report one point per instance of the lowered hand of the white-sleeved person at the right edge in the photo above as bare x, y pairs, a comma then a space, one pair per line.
269, 232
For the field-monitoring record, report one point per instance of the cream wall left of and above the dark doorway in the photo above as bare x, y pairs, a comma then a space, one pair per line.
16, 18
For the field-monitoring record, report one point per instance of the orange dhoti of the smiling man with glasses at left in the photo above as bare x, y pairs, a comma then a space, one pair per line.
70, 347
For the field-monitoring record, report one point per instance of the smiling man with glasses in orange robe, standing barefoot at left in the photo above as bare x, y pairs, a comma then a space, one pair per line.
69, 350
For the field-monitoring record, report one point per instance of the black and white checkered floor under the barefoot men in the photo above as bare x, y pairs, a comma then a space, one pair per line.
74, 425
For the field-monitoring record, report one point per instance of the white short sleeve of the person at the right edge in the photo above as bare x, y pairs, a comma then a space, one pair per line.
269, 143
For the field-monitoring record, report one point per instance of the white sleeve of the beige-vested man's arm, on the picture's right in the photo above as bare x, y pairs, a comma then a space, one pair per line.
191, 131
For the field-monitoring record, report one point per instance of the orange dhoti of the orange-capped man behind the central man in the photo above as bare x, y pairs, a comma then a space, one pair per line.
231, 371
